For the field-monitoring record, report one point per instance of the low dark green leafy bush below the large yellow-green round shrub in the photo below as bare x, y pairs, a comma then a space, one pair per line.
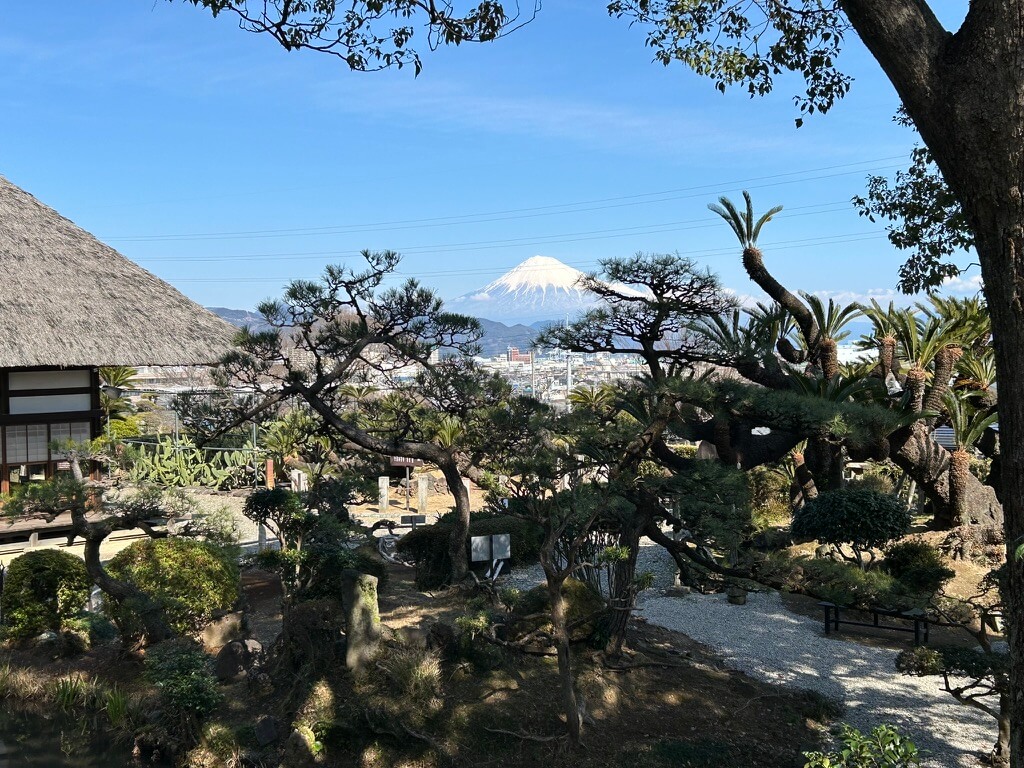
181, 671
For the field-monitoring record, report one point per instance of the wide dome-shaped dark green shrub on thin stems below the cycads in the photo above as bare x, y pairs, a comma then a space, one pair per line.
859, 518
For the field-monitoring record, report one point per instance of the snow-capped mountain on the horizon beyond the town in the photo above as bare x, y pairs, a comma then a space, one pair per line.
540, 289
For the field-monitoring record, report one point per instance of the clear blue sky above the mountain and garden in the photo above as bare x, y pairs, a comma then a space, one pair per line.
229, 166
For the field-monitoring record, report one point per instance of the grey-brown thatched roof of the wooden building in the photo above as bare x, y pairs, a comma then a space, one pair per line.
67, 300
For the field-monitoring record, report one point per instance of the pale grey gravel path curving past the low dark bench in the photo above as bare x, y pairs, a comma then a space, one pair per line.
767, 642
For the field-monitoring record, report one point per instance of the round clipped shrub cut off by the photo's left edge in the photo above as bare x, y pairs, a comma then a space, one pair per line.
44, 590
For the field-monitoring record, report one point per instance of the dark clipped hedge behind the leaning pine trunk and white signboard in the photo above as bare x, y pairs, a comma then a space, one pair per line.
429, 545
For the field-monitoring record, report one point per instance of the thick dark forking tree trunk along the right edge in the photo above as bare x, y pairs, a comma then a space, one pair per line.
965, 93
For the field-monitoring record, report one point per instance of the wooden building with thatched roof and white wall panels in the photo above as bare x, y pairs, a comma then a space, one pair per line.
70, 305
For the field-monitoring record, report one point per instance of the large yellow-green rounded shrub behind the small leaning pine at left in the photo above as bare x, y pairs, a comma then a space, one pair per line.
190, 579
